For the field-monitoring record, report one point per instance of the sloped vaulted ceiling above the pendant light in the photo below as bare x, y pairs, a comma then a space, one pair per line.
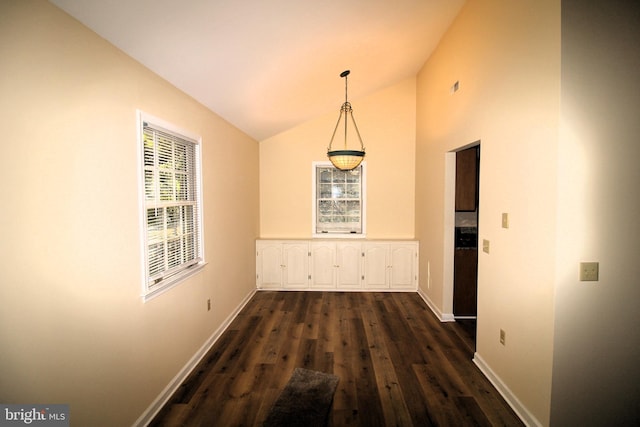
268, 65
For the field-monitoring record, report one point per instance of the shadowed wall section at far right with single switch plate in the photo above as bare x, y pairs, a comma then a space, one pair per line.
596, 374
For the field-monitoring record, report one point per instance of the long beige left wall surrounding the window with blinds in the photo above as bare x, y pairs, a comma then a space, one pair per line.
73, 328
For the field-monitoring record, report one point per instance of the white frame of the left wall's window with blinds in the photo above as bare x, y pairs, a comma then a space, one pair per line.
149, 288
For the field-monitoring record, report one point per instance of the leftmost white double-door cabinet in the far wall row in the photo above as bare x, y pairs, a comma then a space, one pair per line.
282, 264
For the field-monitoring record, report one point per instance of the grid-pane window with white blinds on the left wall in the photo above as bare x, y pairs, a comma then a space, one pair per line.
172, 211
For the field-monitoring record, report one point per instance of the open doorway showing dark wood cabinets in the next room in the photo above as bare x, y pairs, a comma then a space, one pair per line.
465, 258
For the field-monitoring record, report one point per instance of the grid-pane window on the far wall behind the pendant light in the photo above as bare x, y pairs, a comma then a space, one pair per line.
338, 200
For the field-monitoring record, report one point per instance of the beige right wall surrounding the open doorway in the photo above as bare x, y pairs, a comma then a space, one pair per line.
506, 57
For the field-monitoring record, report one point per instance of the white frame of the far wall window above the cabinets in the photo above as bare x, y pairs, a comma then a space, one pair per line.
314, 202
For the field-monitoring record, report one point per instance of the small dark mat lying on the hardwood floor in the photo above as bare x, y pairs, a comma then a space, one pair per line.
305, 400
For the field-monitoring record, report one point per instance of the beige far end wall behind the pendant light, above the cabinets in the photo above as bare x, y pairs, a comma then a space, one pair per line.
386, 120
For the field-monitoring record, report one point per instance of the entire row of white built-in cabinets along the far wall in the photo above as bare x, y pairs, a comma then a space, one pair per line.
337, 265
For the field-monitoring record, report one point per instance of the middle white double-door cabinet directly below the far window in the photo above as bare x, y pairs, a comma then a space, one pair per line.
336, 265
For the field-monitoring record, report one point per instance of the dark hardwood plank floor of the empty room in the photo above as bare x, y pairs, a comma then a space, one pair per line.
397, 364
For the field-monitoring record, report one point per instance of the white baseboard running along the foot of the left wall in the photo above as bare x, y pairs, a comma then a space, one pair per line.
155, 407
